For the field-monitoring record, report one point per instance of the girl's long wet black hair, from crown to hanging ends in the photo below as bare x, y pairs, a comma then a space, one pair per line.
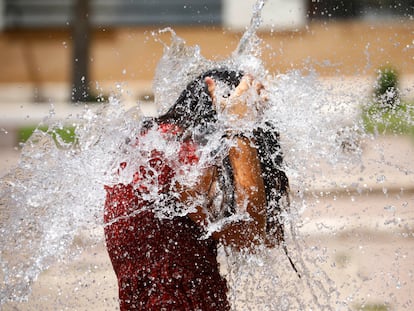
194, 109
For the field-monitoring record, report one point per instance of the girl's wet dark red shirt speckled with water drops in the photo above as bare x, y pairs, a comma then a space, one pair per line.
161, 264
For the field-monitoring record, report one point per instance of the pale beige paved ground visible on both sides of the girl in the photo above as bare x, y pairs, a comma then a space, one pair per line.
364, 240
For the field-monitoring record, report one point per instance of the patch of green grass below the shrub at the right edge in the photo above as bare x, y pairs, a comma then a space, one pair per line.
397, 120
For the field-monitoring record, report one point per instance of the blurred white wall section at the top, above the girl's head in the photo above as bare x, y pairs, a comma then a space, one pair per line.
277, 14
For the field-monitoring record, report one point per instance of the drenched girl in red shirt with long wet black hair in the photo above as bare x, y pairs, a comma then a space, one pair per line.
168, 263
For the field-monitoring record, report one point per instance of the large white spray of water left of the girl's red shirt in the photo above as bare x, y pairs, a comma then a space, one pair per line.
55, 192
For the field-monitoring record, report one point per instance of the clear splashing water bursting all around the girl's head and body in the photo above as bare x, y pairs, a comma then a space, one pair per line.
57, 189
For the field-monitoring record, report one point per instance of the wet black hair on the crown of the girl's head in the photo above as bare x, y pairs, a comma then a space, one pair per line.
194, 106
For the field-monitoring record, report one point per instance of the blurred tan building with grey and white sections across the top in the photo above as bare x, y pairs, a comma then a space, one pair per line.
36, 39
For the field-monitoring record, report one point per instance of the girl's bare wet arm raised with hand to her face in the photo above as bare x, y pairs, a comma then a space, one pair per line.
249, 187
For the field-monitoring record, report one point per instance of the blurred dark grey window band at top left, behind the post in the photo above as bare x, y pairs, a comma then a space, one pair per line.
111, 13
